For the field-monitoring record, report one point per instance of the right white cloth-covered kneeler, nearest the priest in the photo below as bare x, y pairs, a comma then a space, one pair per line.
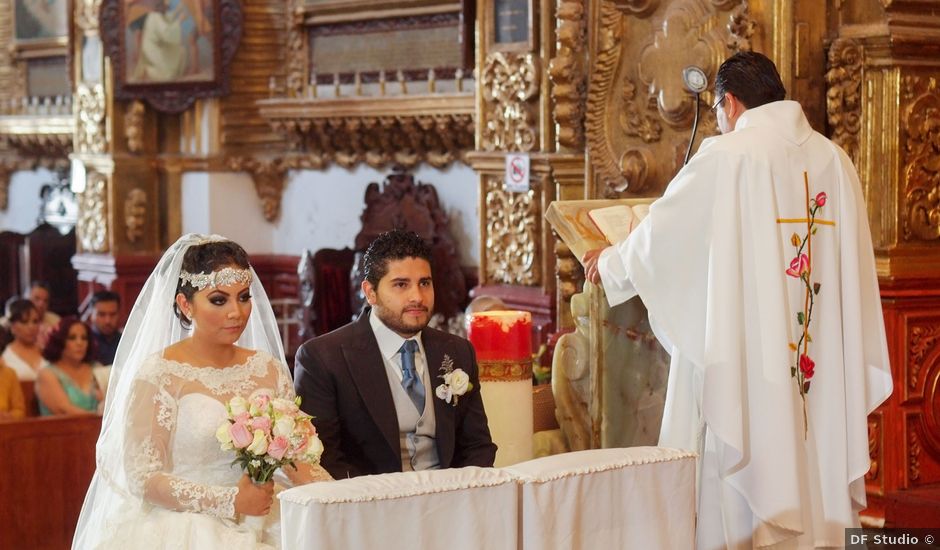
634, 498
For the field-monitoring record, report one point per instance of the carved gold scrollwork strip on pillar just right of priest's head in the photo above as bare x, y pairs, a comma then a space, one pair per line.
843, 98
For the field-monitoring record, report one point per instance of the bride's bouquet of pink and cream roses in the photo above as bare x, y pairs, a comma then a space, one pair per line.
267, 433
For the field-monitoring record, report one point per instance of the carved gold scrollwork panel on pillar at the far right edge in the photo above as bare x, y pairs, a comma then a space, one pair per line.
921, 158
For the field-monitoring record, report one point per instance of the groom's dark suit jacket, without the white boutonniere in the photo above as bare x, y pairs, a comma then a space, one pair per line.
342, 382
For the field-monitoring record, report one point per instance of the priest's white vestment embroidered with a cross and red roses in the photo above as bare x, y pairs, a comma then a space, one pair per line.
718, 265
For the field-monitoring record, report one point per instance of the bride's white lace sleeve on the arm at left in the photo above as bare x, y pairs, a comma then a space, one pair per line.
148, 459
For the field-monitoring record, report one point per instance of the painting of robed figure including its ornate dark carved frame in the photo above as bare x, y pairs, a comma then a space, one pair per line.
170, 52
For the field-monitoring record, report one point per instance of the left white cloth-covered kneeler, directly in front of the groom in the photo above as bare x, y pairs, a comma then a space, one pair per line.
455, 509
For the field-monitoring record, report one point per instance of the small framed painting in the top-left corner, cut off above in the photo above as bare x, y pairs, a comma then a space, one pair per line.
40, 27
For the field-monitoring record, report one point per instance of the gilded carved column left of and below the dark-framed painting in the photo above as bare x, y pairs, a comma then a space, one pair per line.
120, 226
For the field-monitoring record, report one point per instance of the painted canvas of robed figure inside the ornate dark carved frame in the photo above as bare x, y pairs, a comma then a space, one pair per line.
169, 41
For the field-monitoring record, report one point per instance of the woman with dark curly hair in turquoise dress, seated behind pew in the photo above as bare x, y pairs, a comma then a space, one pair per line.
68, 385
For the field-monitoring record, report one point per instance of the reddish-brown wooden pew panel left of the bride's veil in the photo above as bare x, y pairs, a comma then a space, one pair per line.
47, 466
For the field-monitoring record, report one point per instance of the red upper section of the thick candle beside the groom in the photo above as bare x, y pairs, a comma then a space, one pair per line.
501, 335
